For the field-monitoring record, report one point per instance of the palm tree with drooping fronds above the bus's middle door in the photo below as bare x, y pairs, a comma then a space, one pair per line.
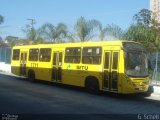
53, 33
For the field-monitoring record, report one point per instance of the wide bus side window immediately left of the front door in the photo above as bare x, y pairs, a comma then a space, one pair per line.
91, 55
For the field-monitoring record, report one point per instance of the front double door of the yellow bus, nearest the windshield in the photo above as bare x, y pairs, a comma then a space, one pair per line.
110, 79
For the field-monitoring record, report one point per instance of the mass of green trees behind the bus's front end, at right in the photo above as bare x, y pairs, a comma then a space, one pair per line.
145, 30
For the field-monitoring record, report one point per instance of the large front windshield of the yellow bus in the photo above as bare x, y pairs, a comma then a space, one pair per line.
136, 63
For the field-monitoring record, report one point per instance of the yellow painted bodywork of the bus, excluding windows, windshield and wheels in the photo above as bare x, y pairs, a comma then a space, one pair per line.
113, 79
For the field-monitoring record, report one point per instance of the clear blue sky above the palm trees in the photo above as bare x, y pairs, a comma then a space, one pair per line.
16, 13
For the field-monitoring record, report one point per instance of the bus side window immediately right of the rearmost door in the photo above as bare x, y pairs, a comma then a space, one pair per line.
33, 54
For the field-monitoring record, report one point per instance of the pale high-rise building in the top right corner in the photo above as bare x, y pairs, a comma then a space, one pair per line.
155, 8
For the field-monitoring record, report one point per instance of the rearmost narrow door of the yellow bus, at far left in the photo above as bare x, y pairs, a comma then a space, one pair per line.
23, 63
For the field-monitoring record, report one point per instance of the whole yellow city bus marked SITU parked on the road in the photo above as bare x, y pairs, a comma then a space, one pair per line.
114, 66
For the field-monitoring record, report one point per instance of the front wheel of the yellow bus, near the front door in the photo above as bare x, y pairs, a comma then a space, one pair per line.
92, 85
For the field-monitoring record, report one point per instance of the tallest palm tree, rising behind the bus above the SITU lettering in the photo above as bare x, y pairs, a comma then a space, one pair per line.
84, 29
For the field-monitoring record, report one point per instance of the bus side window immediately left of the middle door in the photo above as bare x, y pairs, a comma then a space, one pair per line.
45, 54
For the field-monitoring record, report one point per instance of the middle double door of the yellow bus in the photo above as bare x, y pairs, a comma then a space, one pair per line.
57, 67
